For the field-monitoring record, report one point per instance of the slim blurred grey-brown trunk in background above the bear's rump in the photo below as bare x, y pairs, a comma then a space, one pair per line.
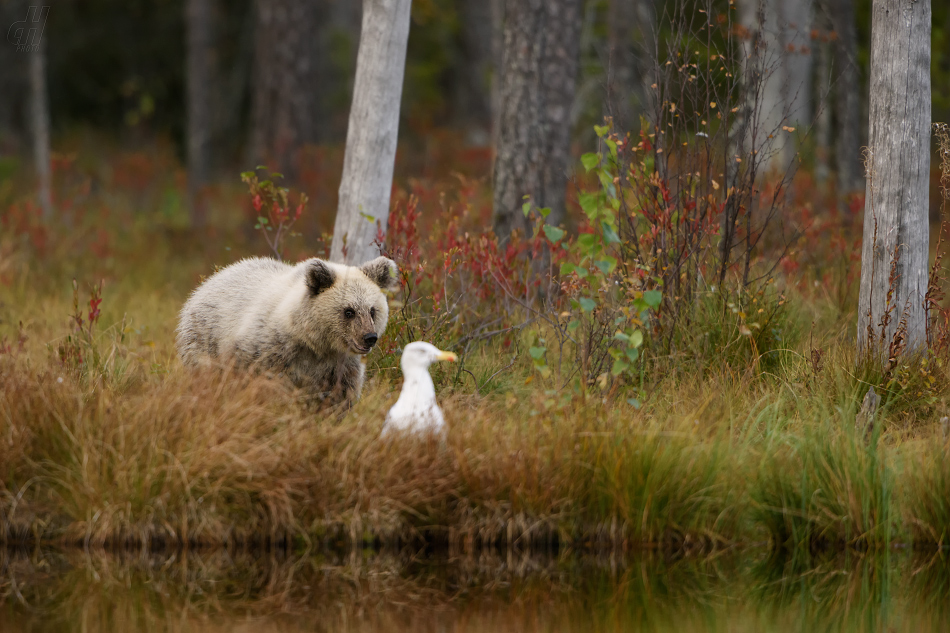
198, 17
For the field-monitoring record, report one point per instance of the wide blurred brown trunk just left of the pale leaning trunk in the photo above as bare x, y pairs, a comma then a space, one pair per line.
286, 108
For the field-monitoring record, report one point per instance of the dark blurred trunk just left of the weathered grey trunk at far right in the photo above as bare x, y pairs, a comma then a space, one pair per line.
847, 140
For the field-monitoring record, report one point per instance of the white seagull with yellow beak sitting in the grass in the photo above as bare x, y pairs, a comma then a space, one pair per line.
416, 411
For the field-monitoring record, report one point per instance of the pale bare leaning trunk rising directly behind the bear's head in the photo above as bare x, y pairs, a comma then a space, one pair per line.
372, 131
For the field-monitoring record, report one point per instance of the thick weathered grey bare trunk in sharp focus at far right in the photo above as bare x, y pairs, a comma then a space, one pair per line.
896, 229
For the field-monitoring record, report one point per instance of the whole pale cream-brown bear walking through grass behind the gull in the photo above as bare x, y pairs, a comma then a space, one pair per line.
310, 322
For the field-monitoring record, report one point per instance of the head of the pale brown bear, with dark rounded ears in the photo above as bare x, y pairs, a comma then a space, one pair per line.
346, 310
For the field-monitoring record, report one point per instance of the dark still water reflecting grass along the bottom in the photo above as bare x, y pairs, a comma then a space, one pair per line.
487, 592
